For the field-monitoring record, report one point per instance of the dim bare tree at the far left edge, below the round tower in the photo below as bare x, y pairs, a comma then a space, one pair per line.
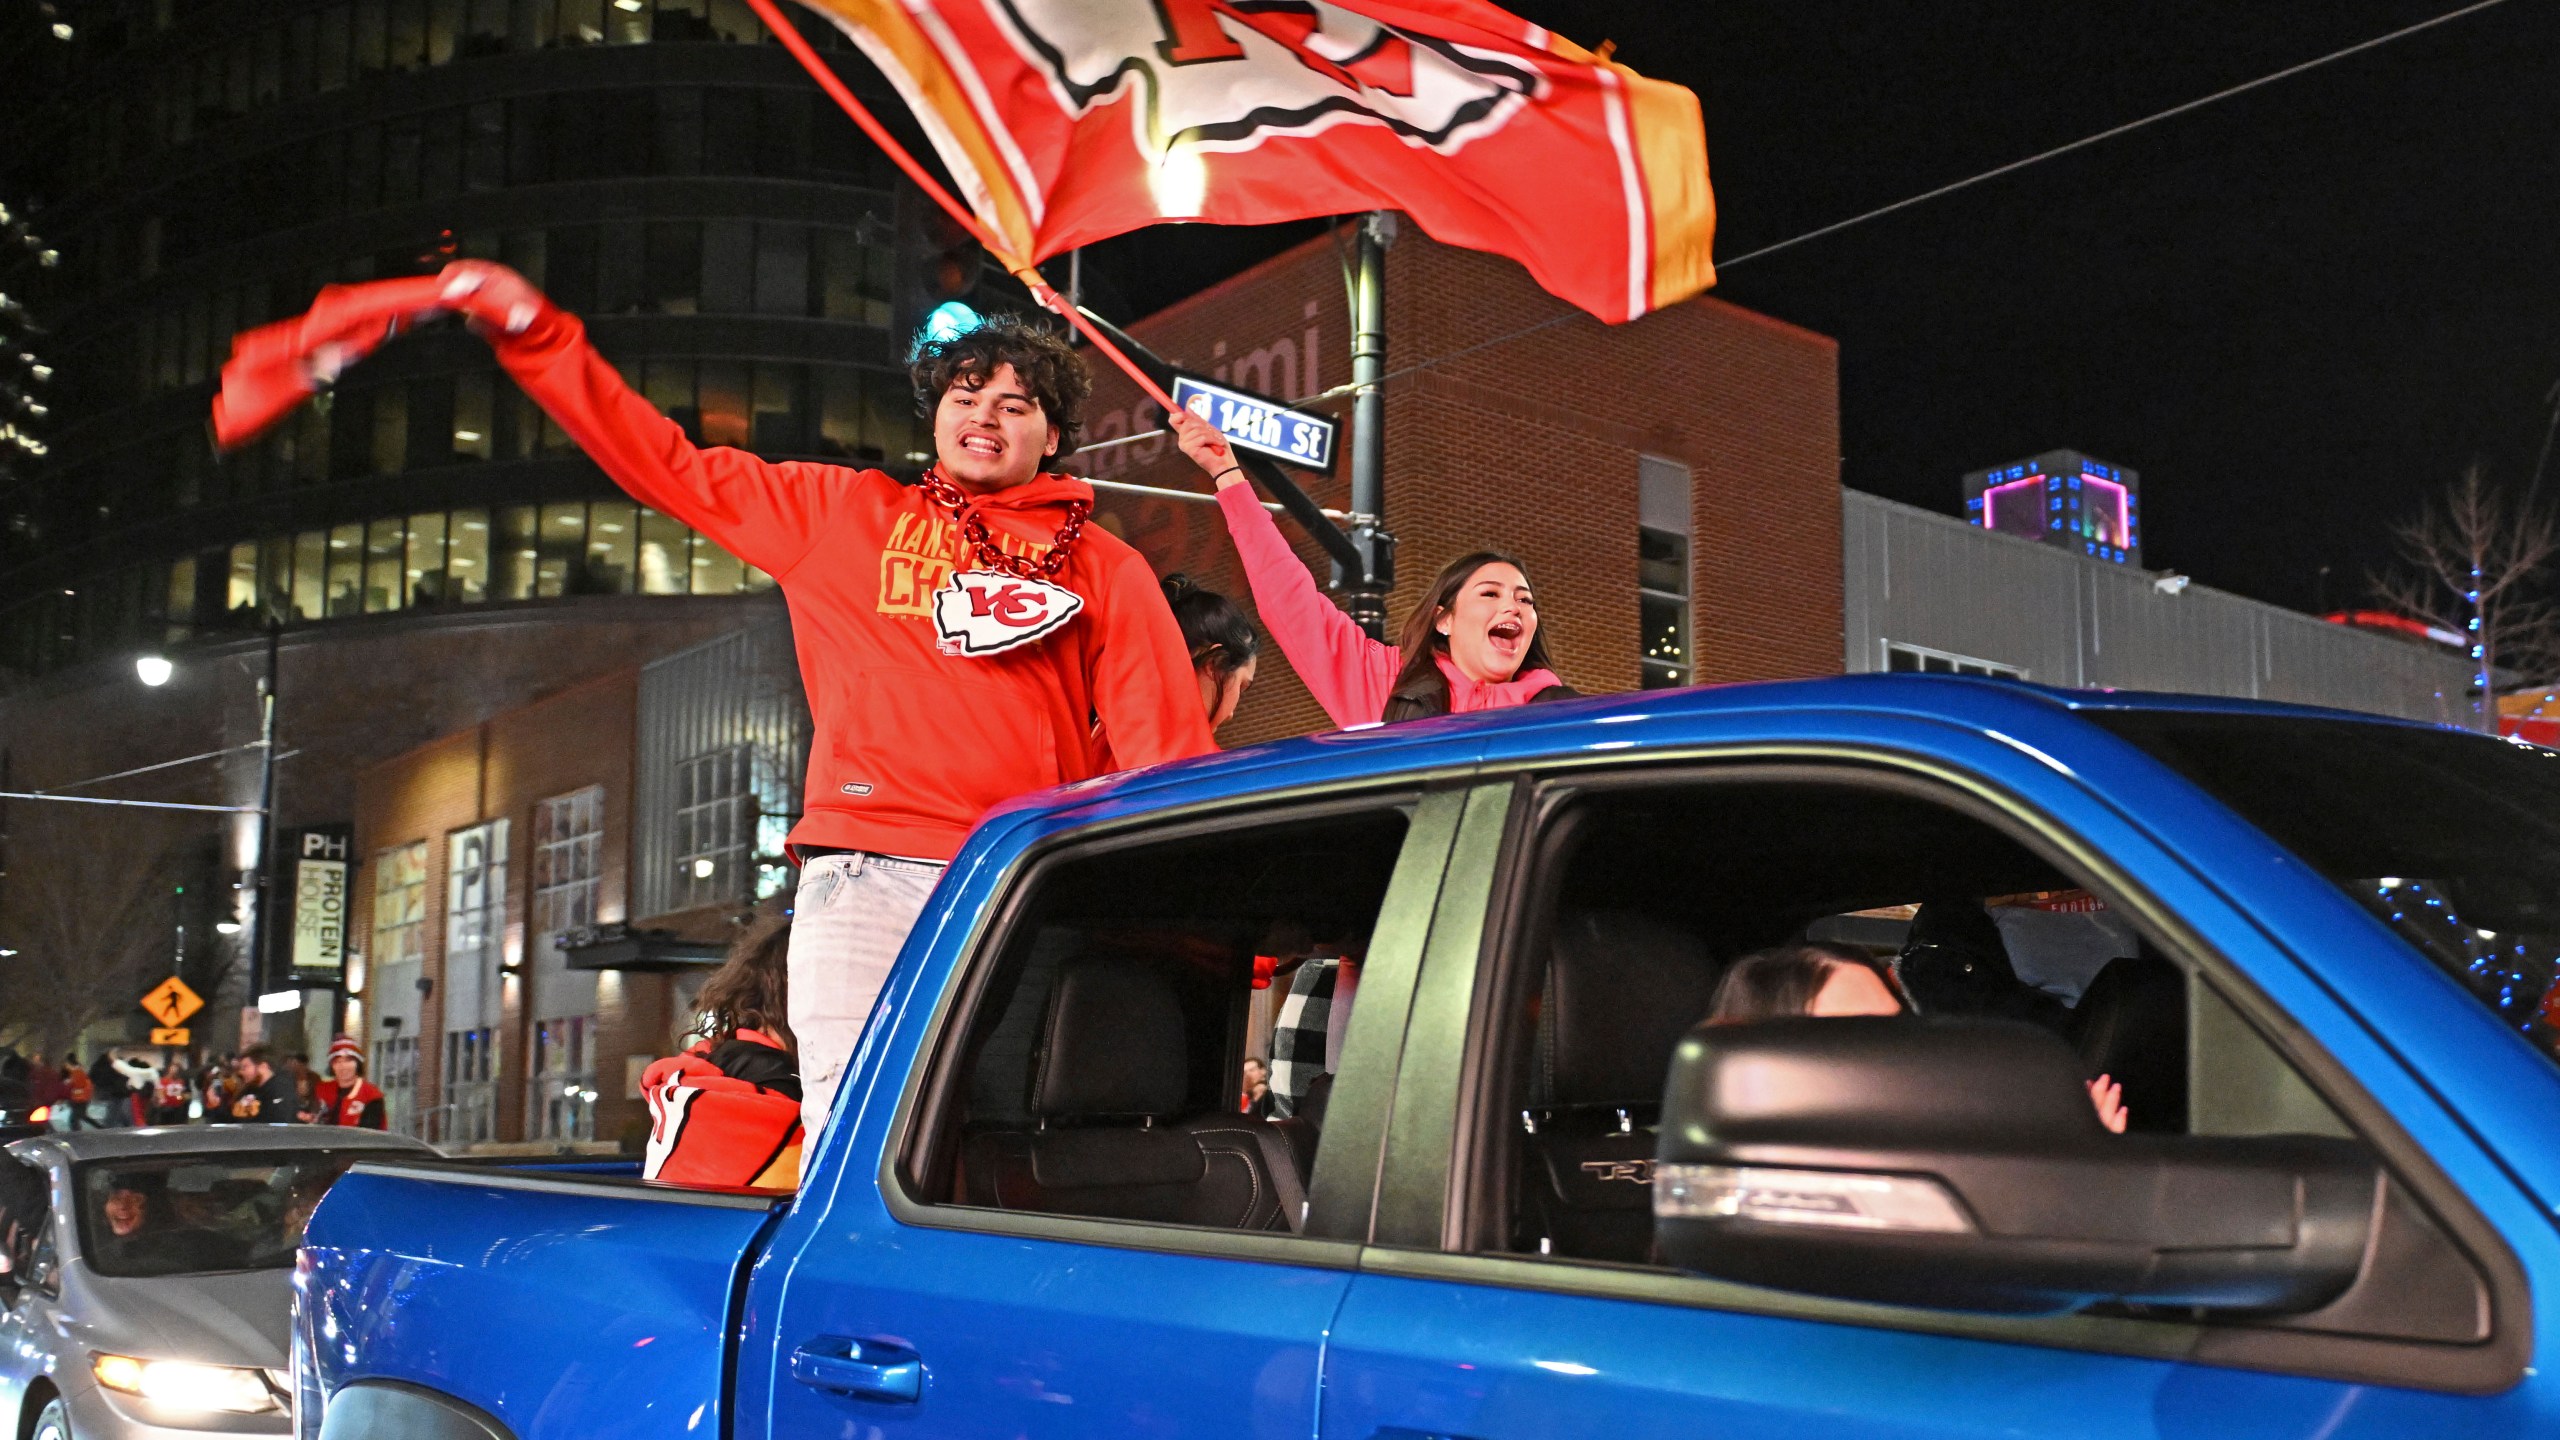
91, 916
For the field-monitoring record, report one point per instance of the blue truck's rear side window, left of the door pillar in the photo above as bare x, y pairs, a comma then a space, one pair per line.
1156, 1031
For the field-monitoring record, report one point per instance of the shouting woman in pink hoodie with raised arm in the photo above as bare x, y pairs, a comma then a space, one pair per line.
1471, 644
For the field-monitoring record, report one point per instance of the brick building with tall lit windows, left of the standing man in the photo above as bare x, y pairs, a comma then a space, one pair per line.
649, 801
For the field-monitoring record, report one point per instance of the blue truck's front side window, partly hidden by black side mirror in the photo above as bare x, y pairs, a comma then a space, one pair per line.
1645, 901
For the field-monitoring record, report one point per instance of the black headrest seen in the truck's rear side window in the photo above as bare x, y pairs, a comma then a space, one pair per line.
1110, 1047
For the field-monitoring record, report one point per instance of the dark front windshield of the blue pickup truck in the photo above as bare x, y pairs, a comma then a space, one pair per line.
2446, 837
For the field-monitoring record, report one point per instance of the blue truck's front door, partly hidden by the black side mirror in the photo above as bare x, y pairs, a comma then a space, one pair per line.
1517, 1290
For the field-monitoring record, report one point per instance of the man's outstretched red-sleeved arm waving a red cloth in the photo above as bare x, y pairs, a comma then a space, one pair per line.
759, 511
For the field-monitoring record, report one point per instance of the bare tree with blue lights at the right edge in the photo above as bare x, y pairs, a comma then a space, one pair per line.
2474, 562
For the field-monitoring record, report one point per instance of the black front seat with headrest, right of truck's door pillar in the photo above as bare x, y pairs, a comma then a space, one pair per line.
1622, 990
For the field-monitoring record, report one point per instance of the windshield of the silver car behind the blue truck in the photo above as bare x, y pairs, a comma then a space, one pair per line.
183, 1216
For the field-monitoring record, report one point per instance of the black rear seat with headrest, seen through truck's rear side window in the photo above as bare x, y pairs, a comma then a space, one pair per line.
1107, 1085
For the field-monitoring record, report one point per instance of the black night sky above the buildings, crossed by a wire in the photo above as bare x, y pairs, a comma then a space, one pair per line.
2292, 314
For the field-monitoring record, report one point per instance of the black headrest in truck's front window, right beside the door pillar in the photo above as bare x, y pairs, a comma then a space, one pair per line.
1622, 990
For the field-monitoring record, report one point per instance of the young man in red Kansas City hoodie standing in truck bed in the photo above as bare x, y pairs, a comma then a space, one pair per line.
959, 639
